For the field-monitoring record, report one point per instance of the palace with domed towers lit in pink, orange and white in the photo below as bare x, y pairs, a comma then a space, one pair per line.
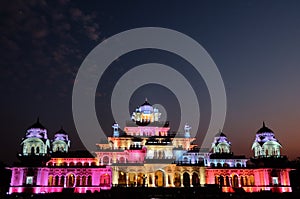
146, 154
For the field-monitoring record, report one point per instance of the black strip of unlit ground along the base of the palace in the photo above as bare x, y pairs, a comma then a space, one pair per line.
138, 193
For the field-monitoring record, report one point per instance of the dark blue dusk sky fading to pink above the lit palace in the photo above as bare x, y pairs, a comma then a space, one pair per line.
255, 44
